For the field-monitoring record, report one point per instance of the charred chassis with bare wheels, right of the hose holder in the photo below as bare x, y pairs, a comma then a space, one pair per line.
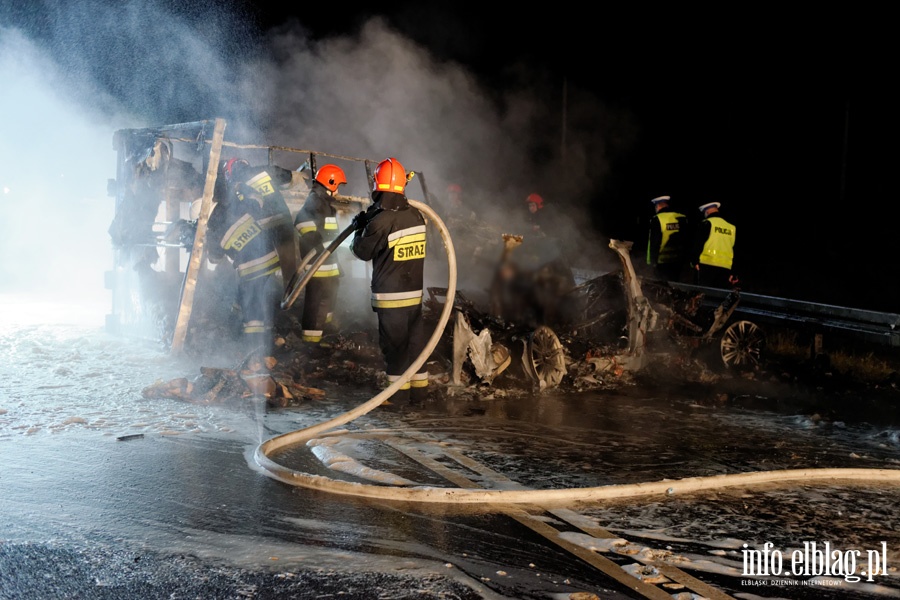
610, 320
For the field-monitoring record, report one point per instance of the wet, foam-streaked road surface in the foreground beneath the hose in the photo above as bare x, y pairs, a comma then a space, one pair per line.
183, 511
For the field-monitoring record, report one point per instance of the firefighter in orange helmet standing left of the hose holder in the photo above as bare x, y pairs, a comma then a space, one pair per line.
316, 223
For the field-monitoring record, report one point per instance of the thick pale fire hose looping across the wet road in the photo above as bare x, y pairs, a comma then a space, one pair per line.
505, 496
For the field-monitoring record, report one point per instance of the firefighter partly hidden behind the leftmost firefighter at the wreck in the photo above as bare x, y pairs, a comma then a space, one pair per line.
264, 184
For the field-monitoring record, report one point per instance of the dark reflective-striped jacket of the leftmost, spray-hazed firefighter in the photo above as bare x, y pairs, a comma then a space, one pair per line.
234, 230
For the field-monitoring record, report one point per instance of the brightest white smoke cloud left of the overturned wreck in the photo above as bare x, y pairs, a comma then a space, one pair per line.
54, 165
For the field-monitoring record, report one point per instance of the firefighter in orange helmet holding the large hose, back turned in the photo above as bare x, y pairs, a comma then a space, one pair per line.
391, 234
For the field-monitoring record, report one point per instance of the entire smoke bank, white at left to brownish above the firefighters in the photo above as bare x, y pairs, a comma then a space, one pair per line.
76, 72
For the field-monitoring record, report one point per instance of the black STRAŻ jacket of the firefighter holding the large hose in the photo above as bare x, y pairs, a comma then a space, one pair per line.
394, 240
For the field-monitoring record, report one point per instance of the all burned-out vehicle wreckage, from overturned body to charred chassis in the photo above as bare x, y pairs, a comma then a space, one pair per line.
531, 329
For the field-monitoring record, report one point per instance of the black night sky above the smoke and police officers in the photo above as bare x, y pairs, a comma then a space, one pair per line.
786, 119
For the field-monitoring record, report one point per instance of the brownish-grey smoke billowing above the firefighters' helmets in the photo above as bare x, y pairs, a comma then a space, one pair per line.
376, 93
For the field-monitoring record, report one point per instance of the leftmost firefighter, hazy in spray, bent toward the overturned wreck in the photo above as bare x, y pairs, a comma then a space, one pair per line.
236, 231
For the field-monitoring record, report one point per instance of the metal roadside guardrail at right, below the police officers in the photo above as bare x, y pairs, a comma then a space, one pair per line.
864, 325
